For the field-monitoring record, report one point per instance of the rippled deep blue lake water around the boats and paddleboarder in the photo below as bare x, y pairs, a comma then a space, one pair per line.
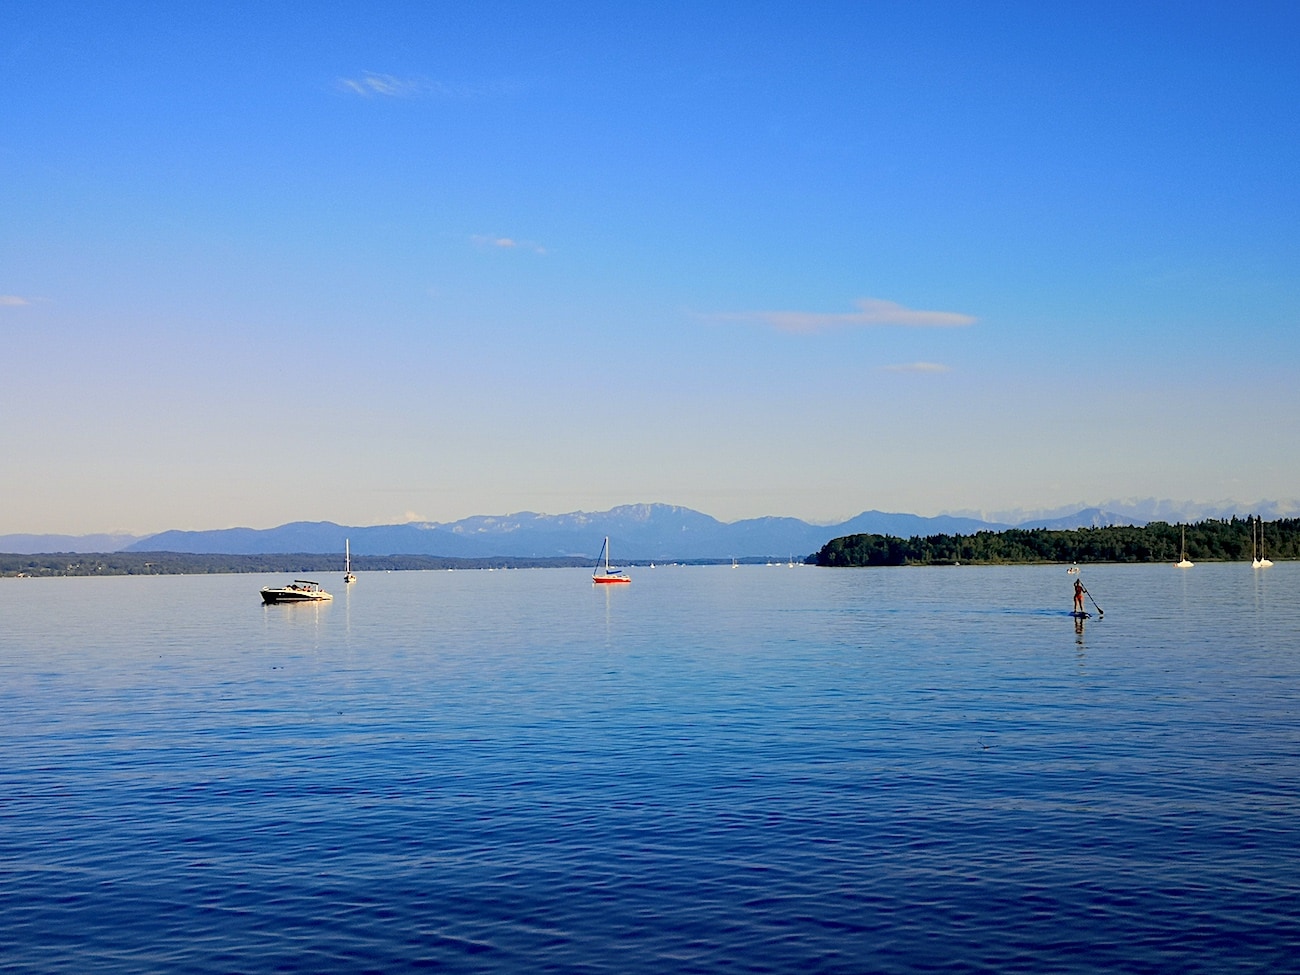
713, 770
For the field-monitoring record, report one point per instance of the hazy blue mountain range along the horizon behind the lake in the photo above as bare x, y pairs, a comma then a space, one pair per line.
638, 532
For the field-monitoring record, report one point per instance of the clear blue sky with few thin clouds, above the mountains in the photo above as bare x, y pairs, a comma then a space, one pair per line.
380, 262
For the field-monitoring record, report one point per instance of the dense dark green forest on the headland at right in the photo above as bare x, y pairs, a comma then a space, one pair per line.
1158, 541
